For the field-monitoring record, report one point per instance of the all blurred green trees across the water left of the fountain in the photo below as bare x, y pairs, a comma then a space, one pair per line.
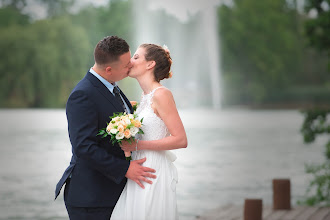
42, 61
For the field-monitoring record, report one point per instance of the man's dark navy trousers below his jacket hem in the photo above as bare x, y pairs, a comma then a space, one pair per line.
87, 213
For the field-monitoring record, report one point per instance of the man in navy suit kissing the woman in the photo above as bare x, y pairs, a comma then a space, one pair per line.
98, 170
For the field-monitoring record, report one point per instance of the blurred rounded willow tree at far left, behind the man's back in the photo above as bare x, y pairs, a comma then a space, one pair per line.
41, 63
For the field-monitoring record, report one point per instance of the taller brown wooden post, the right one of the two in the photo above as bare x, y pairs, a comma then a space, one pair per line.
281, 194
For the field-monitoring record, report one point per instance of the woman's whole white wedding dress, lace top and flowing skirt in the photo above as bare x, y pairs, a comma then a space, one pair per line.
157, 200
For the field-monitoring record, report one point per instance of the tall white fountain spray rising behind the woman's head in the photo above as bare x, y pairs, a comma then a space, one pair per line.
189, 29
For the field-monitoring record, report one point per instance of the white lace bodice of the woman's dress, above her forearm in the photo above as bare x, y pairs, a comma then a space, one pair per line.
153, 127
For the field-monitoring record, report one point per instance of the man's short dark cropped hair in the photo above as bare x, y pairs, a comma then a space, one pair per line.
109, 49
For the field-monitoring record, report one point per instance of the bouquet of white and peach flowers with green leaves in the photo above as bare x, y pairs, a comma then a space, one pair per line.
122, 126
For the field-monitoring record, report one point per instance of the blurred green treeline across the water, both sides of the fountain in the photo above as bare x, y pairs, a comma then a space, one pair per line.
265, 55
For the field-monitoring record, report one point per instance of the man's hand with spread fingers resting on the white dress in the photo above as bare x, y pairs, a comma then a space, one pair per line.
139, 173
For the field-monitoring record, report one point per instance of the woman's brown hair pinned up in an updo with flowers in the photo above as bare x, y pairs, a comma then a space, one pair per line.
162, 58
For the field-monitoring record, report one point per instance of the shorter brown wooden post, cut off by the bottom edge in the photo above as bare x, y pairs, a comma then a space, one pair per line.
253, 209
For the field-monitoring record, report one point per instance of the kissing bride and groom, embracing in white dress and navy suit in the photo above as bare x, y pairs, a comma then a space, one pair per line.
99, 183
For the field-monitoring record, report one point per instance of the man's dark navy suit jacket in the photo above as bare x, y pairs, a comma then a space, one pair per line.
97, 168
